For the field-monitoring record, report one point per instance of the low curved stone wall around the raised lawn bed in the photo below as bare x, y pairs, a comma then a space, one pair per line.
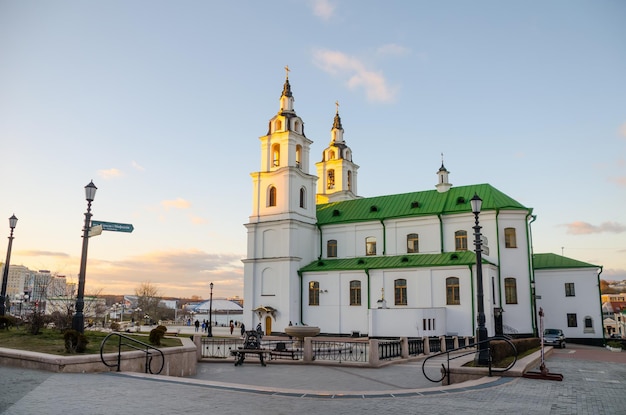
179, 361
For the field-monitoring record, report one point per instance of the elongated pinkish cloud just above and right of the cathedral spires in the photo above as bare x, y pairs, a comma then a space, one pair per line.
356, 74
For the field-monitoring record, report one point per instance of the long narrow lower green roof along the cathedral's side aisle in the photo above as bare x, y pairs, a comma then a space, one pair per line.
461, 258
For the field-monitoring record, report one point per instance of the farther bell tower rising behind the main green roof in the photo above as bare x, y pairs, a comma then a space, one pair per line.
337, 173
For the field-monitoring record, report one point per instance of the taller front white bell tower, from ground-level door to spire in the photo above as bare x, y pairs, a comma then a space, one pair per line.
282, 227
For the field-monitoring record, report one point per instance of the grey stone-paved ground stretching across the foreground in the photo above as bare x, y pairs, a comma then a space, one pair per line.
594, 383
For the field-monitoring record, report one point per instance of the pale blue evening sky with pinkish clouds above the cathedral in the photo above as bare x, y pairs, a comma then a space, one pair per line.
161, 104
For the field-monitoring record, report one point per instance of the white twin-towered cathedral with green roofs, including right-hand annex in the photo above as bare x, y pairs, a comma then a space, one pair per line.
318, 254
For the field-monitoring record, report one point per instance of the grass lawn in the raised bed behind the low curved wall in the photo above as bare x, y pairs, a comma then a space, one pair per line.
51, 341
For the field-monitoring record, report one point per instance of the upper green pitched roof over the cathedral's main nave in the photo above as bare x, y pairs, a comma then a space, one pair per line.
425, 203
